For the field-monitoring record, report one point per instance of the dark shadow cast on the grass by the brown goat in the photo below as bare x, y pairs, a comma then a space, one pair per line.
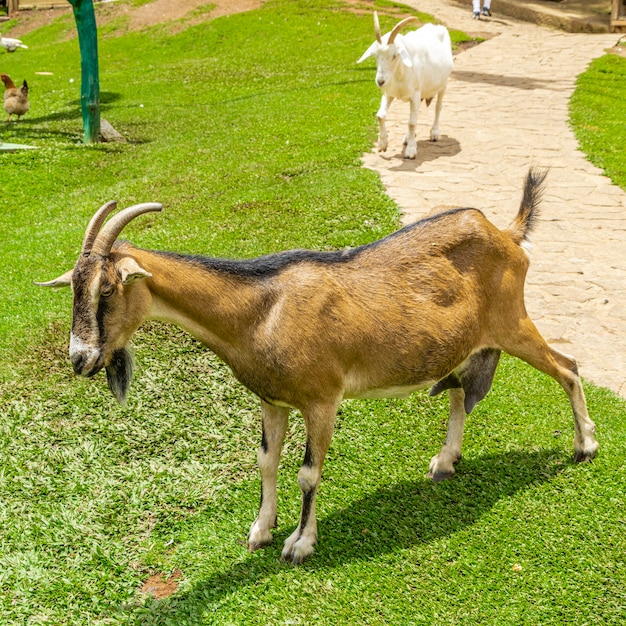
390, 518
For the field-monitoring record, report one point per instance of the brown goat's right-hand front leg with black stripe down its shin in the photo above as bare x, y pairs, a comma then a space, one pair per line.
319, 425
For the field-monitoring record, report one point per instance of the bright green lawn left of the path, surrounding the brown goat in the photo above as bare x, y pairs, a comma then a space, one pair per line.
252, 142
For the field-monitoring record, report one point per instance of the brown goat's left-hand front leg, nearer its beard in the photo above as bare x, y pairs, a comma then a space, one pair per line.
275, 420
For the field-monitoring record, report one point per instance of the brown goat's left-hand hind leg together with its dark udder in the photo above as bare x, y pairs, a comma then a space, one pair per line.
466, 386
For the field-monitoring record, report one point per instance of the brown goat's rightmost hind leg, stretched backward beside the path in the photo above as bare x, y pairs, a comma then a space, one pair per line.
530, 346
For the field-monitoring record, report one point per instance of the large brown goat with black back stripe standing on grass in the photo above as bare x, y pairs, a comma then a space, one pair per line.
432, 304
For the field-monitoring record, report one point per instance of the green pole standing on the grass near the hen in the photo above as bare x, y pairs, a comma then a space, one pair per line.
90, 83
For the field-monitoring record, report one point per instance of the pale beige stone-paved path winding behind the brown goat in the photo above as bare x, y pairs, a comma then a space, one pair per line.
506, 108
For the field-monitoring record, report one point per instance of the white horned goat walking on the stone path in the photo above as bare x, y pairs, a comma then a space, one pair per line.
412, 67
